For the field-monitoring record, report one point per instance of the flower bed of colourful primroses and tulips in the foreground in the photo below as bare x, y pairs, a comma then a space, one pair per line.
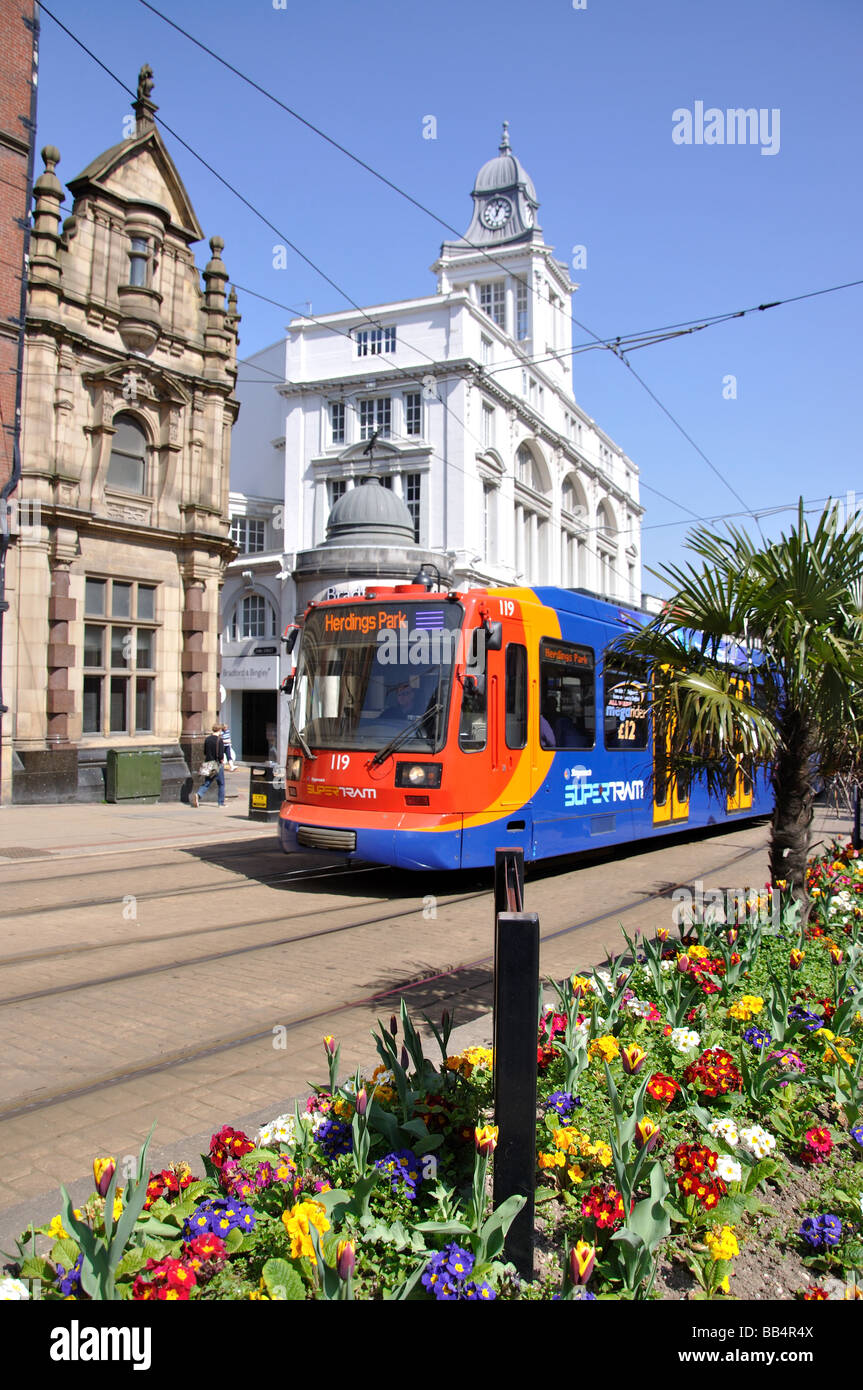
701, 1113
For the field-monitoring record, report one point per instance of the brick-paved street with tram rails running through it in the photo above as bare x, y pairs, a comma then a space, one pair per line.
192, 985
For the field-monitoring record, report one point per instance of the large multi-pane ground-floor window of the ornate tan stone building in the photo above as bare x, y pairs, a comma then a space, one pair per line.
119, 658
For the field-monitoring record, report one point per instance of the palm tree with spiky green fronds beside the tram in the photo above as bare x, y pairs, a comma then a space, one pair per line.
757, 661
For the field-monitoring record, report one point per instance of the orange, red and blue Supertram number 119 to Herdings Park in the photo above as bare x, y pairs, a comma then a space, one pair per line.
430, 729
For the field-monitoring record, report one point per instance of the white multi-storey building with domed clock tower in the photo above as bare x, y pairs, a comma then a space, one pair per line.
466, 398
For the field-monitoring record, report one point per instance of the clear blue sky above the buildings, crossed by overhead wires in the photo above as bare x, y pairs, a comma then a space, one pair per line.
672, 231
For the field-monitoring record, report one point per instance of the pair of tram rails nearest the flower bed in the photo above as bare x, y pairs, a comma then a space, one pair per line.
227, 1043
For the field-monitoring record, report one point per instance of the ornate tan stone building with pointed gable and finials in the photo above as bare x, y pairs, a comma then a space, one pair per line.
129, 407
